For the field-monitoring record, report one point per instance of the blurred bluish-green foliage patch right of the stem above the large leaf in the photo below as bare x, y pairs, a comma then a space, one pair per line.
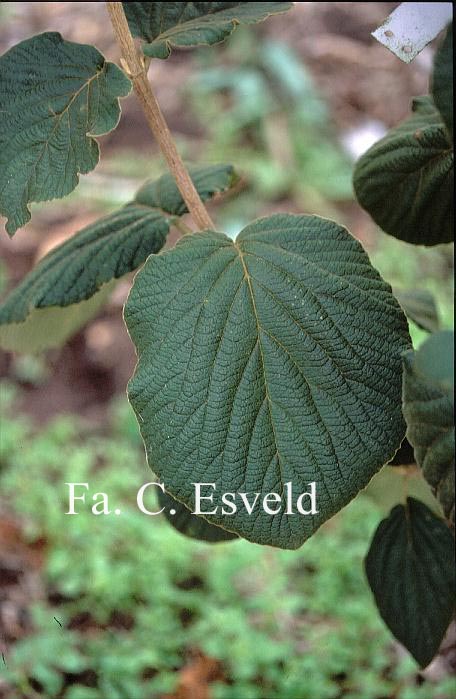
258, 106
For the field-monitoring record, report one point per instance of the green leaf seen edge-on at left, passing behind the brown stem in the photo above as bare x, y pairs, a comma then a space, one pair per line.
107, 249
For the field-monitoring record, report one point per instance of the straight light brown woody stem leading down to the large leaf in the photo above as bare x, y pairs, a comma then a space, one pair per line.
136, 69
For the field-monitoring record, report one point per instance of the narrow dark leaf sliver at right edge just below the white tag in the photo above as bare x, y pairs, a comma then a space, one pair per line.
442, 80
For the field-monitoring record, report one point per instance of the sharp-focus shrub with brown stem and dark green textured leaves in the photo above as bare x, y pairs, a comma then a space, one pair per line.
282, 357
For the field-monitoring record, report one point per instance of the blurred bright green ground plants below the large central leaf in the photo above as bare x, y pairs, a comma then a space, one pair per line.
135, 598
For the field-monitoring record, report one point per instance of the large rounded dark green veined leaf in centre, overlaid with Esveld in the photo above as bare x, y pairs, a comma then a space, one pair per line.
272, 359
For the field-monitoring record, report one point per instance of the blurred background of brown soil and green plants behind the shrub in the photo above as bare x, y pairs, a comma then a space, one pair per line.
127, 608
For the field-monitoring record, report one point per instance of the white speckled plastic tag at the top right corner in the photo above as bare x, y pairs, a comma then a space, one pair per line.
412, 25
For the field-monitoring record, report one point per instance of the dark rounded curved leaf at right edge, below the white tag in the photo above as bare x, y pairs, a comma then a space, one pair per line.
405, 181
